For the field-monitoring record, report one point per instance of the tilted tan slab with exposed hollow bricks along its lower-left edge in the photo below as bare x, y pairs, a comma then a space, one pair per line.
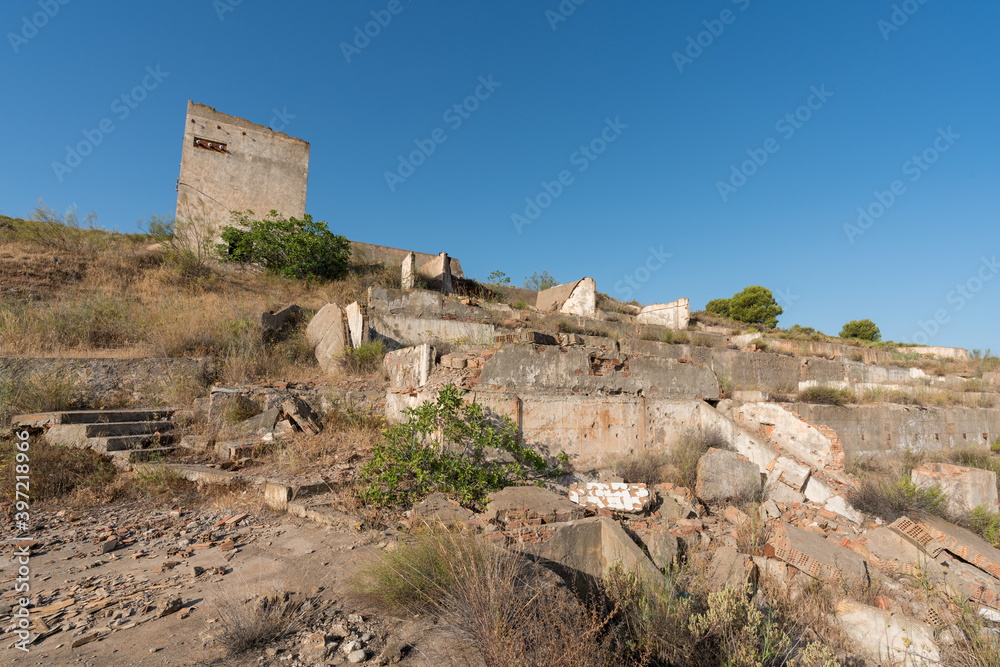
816, 556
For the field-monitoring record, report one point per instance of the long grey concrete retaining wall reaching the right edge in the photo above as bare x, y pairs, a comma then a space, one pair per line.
875, 429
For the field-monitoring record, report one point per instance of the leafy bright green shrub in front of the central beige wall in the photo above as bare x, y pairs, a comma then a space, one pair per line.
477, 454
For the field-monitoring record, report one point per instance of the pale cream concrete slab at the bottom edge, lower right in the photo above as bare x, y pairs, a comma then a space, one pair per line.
887, 638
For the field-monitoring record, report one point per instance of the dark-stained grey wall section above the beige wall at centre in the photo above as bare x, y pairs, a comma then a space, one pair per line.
589, 371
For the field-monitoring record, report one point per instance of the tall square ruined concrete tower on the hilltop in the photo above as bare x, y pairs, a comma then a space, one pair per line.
230, 164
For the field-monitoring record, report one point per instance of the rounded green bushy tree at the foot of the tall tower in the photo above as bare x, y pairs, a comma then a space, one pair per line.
285, 246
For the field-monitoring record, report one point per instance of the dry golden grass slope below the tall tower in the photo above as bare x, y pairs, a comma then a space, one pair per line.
128, 301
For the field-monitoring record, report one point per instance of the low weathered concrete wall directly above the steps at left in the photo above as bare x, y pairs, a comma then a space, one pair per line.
100, 383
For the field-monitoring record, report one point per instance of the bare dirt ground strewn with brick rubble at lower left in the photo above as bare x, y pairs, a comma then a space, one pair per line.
120, 607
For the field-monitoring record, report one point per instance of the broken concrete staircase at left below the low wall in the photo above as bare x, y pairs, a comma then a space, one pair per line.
128, 436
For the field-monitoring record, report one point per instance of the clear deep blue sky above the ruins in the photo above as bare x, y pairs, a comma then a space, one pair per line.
891, 87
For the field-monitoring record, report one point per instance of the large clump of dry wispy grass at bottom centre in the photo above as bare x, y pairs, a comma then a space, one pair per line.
510, 608
